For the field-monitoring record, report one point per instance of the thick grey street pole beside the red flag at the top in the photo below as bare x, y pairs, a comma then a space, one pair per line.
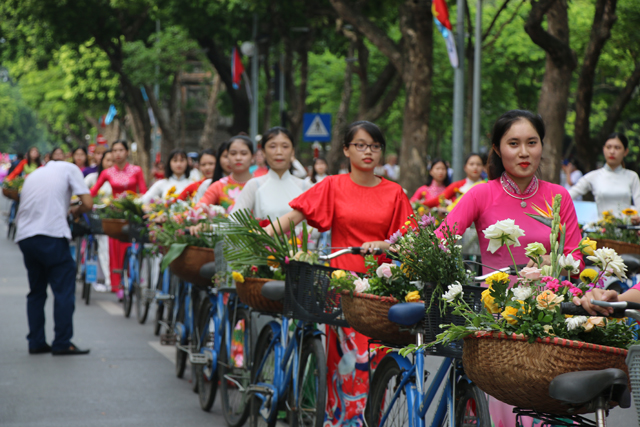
458, 98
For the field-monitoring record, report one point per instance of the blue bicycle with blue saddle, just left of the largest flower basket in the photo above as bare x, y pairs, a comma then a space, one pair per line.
398, 395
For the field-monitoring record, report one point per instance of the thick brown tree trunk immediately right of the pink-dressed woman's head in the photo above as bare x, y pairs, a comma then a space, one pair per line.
560, 63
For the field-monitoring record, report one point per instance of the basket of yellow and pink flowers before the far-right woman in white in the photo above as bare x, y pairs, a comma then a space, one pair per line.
611, 232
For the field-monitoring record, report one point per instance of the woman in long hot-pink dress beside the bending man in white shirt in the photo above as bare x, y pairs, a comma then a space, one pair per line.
123, 177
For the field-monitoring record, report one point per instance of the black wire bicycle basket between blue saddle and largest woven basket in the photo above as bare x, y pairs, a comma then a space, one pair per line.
435, 317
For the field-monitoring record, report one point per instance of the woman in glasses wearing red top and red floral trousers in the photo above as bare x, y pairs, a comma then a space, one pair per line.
363, 210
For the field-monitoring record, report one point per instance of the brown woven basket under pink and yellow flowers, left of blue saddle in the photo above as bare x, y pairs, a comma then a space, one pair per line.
367, 314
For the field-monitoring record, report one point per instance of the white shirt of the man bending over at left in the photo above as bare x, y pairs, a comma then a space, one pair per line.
45, 198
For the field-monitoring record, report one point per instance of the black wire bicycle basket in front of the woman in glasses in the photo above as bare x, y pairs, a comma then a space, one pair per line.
307, 295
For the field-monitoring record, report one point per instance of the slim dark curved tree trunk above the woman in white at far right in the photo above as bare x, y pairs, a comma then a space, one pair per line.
603, 20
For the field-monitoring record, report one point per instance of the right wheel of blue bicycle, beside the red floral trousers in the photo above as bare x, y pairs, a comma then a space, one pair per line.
312, 386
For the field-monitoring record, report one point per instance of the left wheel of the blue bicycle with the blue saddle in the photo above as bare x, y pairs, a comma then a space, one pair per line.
382, 388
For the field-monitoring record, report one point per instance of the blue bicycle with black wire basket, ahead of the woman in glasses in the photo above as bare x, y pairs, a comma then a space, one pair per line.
289, 369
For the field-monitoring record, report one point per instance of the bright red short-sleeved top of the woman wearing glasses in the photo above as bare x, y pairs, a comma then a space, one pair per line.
355, 214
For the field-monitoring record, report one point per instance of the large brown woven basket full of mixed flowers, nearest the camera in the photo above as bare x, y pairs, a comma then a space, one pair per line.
519, 340
